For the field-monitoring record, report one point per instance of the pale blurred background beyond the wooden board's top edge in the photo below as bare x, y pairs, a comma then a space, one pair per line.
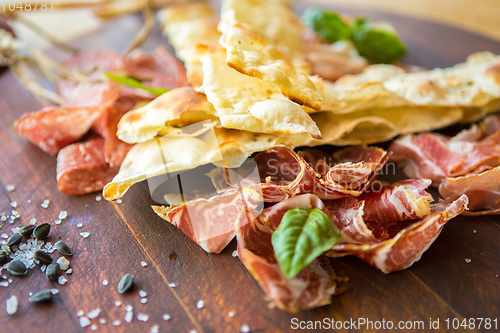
68, 19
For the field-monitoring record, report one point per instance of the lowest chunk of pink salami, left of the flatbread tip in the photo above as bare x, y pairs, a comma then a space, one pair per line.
82, 169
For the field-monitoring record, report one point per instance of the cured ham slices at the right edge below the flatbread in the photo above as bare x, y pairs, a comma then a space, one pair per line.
468, 163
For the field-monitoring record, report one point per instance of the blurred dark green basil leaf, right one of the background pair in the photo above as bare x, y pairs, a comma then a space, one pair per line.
377, 42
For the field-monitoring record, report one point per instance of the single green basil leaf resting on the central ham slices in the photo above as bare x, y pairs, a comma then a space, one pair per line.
302, 236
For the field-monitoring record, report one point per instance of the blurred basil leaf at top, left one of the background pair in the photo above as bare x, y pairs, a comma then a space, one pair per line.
329, 25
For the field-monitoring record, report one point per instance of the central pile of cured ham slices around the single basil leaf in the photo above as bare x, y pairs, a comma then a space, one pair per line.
387, 225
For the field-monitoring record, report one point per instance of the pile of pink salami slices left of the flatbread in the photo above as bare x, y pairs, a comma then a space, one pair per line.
82, 132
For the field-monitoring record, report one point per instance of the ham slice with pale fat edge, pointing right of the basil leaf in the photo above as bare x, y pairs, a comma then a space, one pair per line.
404, 244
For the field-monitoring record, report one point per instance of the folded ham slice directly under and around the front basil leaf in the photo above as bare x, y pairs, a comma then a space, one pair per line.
312, 287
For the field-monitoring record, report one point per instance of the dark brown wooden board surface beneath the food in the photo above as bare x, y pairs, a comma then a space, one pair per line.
441, 285
